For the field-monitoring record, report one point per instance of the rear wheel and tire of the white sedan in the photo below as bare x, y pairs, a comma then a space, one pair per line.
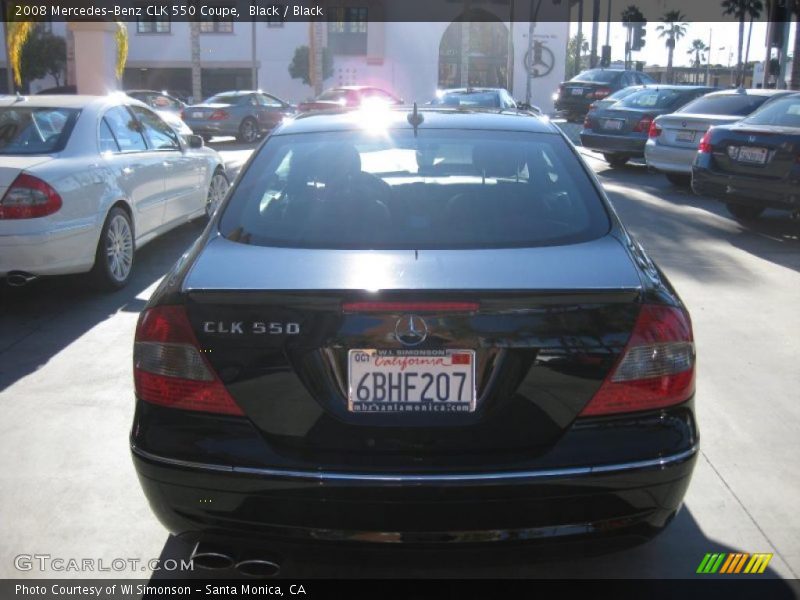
113, 261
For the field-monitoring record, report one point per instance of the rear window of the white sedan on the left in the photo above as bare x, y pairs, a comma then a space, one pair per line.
32, 130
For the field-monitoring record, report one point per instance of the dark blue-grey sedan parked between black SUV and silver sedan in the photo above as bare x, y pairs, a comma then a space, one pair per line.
620, 131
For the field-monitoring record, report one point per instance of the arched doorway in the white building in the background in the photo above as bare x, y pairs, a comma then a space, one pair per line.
474, 52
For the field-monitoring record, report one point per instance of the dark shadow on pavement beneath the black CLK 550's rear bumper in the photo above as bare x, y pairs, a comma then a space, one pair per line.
675, 553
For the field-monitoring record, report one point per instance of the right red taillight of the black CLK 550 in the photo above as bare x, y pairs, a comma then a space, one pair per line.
657, 367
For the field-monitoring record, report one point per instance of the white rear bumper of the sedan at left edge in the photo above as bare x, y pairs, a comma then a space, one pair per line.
66, 250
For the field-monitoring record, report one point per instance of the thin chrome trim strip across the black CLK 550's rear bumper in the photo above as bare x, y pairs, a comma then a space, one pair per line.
319, 476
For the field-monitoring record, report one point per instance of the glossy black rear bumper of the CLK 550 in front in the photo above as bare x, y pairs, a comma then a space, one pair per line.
201, 500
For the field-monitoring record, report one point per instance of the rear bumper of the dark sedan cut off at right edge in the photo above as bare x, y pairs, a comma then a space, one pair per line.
746, 190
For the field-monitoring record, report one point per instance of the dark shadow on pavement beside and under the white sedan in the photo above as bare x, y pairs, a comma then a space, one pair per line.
64, 308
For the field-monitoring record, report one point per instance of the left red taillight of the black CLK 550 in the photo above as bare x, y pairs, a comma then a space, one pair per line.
169, 368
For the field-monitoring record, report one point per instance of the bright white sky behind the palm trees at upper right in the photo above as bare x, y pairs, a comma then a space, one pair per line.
724, 42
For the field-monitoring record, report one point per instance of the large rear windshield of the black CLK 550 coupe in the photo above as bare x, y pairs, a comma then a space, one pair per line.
441, 189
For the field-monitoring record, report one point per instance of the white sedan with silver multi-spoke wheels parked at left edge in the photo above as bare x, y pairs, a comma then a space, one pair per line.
86, 180
